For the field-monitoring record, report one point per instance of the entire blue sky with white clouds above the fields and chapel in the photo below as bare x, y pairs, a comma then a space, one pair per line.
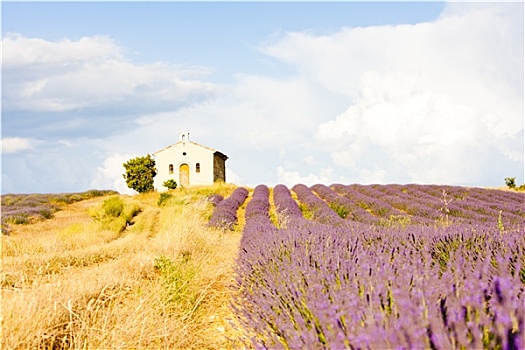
292, 92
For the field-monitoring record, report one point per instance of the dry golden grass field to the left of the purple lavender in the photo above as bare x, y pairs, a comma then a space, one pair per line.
79, 280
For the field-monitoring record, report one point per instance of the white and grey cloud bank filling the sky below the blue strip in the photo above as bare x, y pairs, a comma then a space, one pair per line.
435, 102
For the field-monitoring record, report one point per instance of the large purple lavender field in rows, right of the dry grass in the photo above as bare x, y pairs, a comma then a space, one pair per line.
379, 266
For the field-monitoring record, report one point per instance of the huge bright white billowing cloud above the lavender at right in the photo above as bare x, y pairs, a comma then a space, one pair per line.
431, 102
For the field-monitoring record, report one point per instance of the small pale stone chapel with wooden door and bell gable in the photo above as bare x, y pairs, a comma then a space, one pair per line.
189, 164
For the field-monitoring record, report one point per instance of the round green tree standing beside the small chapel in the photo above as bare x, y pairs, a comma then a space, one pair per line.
139, 173
